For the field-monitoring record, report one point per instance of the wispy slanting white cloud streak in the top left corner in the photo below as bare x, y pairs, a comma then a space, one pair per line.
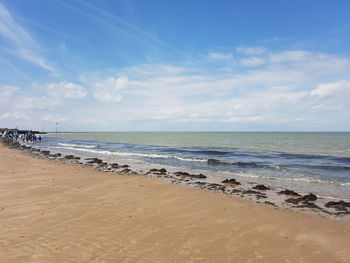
20, 42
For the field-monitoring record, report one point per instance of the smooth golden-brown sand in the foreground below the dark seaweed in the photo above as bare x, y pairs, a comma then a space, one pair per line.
57, 212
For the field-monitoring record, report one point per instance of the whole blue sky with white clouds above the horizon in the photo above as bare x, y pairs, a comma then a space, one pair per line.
199, 65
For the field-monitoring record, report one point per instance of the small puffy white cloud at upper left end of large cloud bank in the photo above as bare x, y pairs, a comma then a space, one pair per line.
109, 90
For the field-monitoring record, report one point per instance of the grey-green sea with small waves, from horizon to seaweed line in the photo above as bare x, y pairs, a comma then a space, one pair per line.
317, 162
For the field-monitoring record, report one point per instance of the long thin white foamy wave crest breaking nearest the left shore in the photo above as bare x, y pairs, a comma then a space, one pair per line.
146, 155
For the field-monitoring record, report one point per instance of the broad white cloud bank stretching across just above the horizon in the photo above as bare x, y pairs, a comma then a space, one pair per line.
291, 90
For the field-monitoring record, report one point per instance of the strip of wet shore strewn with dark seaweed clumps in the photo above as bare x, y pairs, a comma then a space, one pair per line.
285, 199
